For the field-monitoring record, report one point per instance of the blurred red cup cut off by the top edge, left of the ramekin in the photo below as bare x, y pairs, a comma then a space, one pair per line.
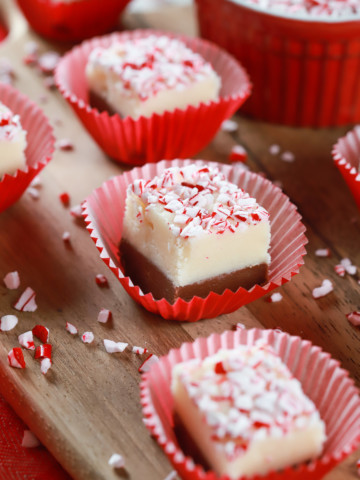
71, 22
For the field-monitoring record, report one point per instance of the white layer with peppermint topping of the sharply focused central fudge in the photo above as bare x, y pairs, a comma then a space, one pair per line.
195, 225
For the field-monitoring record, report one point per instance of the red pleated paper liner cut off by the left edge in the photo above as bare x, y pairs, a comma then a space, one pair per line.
39, 150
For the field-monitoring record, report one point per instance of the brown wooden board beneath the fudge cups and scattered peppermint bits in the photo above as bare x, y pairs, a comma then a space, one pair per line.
87, 407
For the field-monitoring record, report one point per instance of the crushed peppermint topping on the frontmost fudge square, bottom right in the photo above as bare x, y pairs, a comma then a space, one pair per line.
245, 395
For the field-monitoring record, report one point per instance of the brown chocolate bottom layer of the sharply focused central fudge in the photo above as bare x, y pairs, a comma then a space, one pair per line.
150, 279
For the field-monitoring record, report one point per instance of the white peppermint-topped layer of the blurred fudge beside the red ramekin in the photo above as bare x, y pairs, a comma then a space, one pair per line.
149, 75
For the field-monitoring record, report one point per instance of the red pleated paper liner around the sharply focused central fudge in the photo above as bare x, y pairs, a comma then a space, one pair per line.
104, 211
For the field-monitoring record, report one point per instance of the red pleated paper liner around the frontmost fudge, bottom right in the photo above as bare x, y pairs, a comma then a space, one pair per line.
322, 379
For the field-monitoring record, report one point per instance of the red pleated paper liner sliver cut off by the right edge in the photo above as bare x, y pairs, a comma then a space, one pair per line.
346, 155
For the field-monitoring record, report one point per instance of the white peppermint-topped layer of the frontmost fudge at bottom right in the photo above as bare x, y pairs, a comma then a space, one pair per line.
246, 412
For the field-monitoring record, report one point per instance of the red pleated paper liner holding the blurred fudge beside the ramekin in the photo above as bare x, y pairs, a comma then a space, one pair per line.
175, 134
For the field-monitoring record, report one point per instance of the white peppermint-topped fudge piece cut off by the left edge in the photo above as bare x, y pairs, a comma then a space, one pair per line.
12, 142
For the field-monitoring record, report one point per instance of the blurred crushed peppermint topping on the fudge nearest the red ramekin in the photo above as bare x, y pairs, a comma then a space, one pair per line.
147, 66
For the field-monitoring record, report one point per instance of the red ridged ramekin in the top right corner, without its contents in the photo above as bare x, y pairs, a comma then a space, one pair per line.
304, 71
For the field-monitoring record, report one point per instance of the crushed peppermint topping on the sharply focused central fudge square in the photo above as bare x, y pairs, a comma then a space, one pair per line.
197, 200
